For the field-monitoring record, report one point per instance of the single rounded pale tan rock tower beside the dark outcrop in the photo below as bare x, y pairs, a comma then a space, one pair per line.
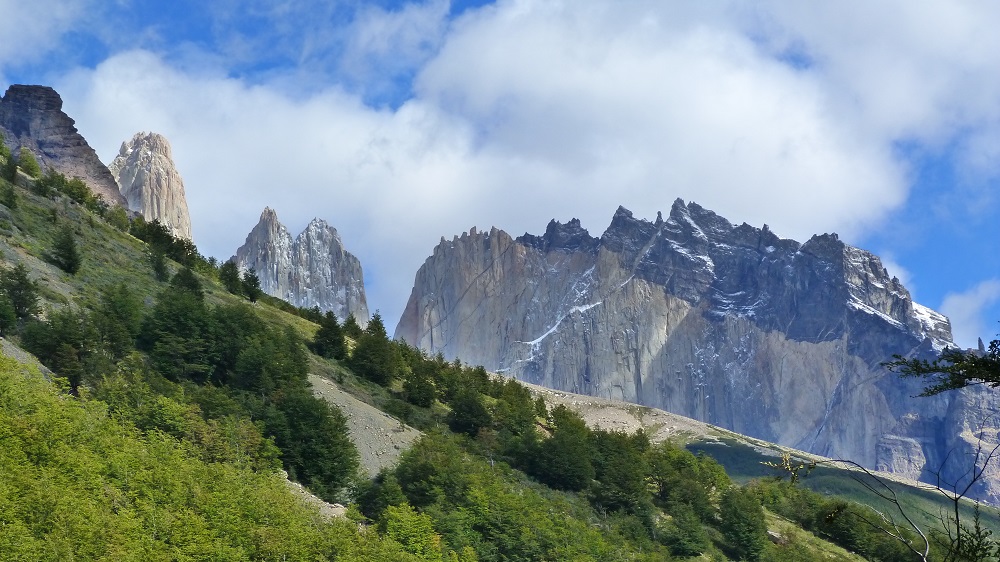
145, 172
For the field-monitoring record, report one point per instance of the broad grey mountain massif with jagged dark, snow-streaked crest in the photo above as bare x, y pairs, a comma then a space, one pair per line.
726, 324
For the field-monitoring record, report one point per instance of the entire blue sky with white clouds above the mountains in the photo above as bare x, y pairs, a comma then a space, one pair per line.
402, 122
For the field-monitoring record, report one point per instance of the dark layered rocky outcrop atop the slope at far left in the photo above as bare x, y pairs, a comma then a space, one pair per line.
32, 117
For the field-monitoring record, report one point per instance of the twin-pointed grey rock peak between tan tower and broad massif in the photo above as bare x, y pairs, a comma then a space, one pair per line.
314, 269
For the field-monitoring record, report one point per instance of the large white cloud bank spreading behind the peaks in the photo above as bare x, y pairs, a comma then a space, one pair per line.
523, 111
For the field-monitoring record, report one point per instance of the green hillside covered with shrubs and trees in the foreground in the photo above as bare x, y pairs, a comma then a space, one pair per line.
177, 392
